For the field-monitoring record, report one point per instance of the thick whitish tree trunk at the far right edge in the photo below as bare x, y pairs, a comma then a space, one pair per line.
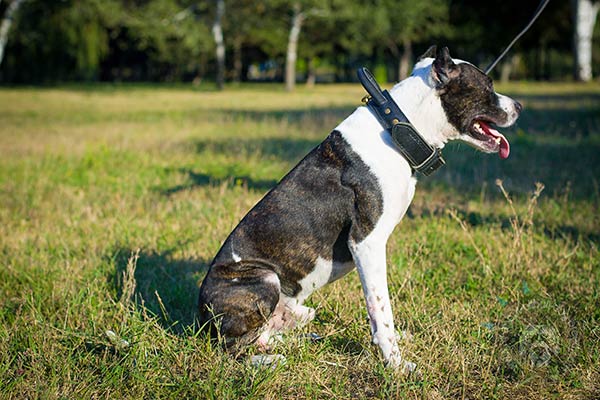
584, 19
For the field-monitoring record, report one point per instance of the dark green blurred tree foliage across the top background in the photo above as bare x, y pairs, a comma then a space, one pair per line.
171, 40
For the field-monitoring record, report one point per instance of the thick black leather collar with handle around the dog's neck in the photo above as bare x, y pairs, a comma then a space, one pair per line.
420, 155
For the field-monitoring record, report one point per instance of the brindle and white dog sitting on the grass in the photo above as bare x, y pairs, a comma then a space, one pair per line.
336, 209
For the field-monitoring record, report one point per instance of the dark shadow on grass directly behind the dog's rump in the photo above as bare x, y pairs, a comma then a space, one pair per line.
166, 286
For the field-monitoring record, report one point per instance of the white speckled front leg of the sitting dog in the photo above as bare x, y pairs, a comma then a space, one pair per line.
370, 259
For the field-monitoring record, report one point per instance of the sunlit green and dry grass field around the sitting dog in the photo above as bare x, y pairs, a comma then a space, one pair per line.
115, 199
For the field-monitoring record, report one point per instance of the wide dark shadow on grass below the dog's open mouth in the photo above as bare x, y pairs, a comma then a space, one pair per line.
563, 167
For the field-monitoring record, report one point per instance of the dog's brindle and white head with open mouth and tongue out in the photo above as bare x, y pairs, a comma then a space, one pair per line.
471, 107
